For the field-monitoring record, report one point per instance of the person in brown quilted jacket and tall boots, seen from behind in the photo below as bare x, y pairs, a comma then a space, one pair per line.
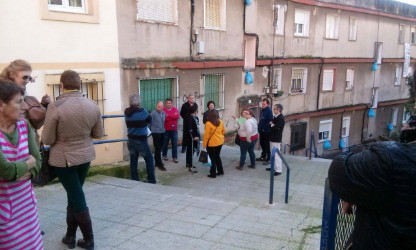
71, 123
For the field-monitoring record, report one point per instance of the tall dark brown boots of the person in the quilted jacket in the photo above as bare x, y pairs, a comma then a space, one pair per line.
83, 220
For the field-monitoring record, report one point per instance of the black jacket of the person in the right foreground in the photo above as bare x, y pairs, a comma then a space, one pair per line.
381, 181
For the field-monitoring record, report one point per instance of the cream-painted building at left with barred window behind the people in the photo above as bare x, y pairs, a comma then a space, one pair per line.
56, 35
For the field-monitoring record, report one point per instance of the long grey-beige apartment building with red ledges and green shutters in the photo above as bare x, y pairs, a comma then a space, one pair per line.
316, 58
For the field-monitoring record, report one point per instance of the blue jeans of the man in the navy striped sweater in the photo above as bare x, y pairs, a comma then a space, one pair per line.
136, 148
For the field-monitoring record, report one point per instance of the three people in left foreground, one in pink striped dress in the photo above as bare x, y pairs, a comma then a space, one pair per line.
69, 124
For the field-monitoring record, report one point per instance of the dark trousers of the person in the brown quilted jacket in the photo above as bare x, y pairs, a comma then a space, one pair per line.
72, 179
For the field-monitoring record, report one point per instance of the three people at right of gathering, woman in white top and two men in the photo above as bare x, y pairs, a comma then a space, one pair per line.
269, 130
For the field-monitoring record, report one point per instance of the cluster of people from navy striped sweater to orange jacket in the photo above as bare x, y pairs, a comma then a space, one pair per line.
162, 124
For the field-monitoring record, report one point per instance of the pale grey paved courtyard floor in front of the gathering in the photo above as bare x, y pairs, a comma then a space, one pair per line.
191, 211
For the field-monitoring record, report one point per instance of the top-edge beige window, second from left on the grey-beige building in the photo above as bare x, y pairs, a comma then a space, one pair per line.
214, 14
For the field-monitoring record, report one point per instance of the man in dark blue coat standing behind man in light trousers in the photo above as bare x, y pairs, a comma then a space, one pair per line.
266, 116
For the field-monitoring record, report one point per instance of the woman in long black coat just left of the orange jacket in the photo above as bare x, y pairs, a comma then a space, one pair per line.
191, 135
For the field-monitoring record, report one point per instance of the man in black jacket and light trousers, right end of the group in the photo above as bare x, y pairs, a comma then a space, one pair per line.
277, 125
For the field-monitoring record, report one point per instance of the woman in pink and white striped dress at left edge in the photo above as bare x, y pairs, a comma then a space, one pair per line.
19, 161
